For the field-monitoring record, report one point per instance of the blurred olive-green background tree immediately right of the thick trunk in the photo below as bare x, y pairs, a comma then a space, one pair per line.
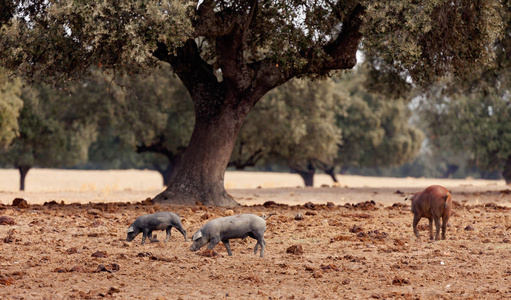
292, 125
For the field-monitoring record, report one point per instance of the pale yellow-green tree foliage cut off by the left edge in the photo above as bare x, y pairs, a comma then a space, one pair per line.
10, 106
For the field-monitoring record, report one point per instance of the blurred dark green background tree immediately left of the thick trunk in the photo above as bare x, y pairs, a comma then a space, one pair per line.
150, 115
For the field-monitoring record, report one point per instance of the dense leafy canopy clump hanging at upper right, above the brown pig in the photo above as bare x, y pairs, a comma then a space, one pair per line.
408, 41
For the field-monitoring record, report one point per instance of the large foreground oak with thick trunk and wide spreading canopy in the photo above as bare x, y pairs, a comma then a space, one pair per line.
222, 52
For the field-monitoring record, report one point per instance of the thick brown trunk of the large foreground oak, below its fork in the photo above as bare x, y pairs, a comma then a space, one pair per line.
199, 175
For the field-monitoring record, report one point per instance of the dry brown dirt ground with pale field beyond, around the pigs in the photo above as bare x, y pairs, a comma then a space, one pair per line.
351, 248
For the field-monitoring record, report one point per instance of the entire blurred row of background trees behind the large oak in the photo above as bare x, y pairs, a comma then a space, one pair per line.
337, 125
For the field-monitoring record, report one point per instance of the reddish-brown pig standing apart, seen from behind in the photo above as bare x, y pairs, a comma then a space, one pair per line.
434, 202
